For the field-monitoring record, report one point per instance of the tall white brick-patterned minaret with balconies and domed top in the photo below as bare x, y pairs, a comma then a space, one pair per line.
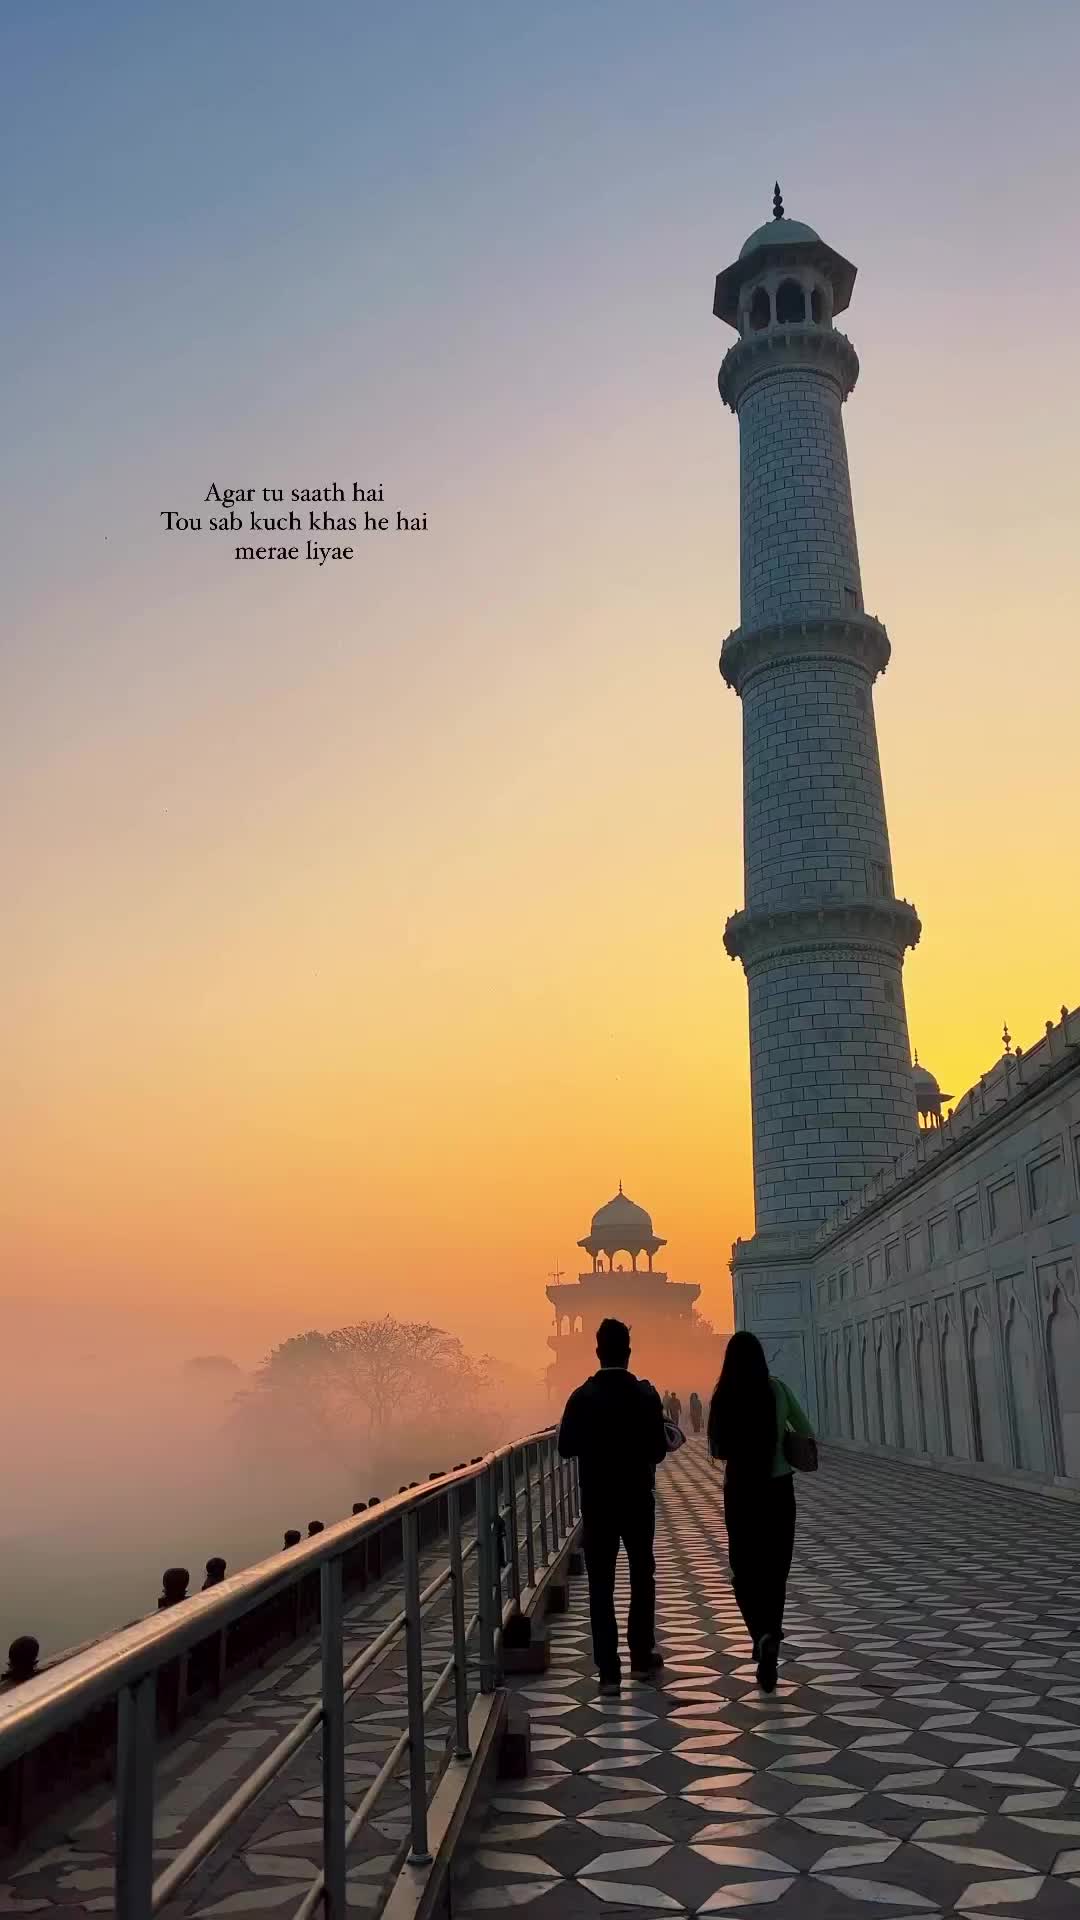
822, 934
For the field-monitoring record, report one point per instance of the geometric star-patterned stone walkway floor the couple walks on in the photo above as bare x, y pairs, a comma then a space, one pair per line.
920, 1758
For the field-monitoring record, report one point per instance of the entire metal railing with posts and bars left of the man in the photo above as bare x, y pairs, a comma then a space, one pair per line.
526, 1508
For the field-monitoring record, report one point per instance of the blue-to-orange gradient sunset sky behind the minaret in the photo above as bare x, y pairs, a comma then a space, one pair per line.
368, 923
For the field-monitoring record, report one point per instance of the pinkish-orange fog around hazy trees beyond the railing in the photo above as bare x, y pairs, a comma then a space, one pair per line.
122, 1458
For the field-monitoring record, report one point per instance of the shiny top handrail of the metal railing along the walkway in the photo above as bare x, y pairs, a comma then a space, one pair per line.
59, 1696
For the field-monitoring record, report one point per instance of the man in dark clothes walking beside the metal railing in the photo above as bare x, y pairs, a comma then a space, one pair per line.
614, 1428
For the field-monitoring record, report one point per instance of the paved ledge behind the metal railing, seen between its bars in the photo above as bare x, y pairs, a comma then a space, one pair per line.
268, 1860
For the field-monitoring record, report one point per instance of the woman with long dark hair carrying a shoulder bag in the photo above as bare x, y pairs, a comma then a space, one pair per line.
750, 1418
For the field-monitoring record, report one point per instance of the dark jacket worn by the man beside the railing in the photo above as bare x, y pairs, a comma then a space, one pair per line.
614, 1426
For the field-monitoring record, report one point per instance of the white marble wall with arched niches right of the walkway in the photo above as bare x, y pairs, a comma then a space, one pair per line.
946, 1316
